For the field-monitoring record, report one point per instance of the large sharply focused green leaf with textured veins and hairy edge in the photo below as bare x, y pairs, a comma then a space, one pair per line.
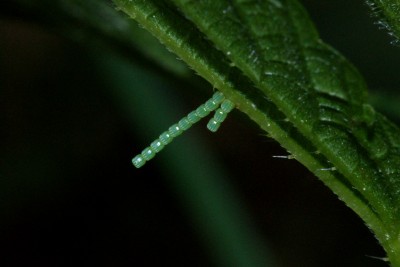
267, 58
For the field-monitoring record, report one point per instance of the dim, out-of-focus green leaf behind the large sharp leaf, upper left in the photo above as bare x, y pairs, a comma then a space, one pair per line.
94, 22
